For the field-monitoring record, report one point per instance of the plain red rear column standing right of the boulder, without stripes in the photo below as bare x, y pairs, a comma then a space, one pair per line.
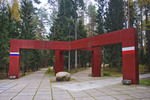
96, 62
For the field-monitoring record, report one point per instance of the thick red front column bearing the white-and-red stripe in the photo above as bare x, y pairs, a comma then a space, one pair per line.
131, 61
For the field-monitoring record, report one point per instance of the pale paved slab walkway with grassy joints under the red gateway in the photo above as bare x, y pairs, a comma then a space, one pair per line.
38, 86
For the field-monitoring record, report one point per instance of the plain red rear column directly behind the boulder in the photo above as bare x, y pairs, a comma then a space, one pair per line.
59, 61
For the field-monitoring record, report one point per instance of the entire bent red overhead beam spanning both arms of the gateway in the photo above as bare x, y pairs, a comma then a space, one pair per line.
126, 35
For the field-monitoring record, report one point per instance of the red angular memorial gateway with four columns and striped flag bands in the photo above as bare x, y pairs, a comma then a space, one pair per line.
127, 37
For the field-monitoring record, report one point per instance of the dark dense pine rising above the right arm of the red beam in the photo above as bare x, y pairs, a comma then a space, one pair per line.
114, 16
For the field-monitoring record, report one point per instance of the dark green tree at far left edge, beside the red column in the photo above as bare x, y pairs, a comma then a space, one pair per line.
4, 40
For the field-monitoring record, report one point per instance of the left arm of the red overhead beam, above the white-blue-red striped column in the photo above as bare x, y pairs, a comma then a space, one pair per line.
36, 44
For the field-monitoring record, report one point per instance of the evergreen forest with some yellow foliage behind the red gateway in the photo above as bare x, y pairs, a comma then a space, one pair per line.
69, 20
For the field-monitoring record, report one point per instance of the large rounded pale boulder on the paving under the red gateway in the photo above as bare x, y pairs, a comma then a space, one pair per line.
63, 76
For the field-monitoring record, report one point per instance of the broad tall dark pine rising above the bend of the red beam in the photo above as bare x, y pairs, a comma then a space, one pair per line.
65, 20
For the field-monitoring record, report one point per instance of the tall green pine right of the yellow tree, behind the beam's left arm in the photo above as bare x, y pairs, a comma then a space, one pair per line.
27, 32
